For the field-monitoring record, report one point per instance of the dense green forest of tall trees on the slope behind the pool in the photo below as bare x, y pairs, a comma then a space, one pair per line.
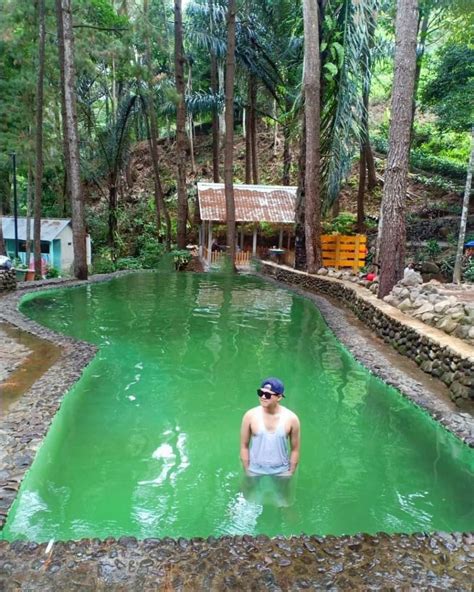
112, 110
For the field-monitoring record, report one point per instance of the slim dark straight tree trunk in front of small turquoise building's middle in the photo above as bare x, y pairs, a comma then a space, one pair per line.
39, 140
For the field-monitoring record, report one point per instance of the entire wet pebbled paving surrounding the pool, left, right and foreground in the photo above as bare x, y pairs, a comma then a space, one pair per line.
438, 561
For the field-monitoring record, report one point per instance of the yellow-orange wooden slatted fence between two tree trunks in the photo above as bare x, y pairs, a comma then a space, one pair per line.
339, 250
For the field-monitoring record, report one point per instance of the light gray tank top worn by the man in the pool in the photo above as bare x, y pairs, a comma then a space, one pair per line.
269, 450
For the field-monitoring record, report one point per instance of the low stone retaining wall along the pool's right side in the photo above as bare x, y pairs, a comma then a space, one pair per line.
442, 356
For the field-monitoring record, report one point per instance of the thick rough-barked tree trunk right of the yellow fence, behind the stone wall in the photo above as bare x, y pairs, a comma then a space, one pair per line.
392, 229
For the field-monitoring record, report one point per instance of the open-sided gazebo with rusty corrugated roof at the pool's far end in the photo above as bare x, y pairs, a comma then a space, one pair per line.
273, 204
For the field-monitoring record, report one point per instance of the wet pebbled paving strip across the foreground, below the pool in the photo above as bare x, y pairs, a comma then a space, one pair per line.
362, 562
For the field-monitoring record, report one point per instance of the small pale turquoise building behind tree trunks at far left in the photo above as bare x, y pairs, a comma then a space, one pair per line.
57, 248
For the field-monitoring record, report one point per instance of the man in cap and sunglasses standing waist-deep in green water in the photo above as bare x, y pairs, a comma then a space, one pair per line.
265, 433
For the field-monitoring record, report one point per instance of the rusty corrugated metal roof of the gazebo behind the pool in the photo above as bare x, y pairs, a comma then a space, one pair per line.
253, 203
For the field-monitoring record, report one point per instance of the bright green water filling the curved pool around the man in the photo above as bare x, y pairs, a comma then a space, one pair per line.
147, 442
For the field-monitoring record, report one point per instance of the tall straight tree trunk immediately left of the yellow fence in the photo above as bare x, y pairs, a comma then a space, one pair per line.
311, 83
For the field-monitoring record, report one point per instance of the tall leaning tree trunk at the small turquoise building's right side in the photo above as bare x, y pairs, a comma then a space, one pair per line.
66, 62
